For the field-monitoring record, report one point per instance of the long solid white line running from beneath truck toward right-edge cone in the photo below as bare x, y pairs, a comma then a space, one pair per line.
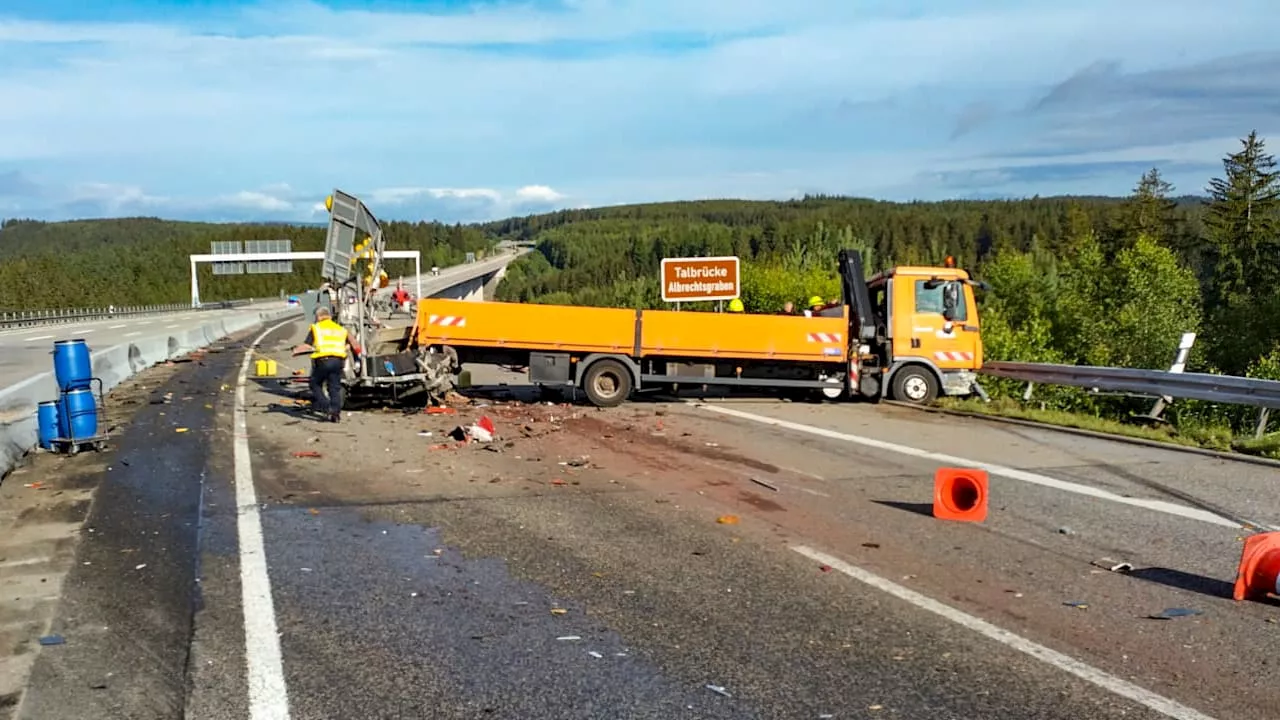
1012, 473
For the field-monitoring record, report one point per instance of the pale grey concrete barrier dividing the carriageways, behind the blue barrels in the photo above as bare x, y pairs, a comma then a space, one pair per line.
116, 364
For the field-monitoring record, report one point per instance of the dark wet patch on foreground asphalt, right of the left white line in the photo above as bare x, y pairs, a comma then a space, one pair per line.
374, 623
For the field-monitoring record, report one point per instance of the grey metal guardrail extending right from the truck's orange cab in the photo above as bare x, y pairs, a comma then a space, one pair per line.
1227, 390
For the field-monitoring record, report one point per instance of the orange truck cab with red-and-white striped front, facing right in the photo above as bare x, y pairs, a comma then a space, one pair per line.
927, 339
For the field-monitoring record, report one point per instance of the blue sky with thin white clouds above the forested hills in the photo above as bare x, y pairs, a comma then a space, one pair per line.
454, 111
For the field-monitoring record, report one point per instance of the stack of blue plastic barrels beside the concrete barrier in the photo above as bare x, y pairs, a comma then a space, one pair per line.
74, 417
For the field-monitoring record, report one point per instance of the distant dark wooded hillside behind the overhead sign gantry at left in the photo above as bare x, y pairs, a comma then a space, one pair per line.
144, 261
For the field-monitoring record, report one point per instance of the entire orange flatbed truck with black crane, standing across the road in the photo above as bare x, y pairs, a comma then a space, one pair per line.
911, 334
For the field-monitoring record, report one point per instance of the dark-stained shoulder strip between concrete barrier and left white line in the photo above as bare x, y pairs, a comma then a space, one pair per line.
127, 604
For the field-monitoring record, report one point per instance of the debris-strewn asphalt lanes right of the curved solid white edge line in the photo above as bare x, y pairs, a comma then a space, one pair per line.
408, 577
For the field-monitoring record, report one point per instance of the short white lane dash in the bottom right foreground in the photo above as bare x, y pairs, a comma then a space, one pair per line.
1087, 673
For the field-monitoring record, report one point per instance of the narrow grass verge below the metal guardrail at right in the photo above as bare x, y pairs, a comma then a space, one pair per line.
1206, 438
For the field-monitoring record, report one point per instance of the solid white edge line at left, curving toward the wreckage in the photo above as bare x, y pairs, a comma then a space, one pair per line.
268, 695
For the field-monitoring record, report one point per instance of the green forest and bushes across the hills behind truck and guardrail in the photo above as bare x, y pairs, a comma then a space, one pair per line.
1092, 281
